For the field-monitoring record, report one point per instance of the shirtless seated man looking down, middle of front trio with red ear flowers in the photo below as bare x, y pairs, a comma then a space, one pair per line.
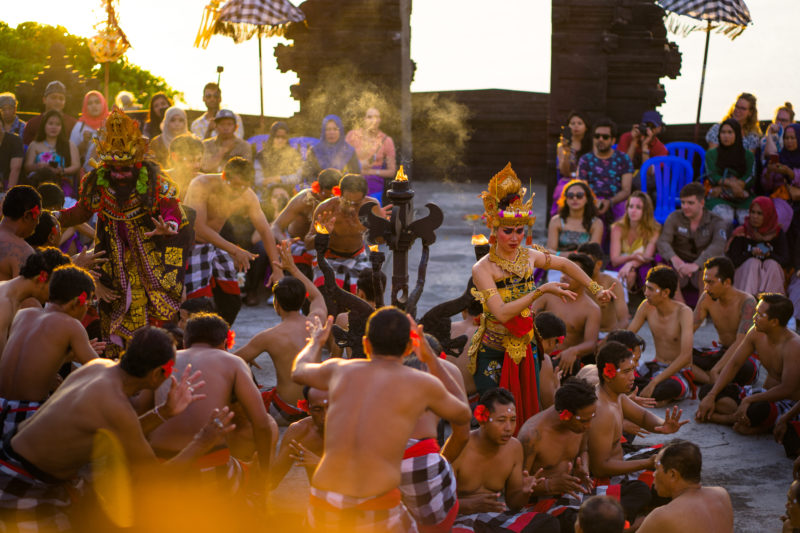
556, 441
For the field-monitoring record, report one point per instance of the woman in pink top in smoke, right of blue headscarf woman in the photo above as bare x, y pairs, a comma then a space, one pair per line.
375, 152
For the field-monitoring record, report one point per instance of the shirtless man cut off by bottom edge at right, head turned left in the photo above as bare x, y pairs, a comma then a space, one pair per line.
693, 508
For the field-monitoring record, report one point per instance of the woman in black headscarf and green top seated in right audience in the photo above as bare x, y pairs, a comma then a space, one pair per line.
730, 174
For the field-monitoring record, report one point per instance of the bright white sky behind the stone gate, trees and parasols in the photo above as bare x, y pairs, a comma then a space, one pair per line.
456, 44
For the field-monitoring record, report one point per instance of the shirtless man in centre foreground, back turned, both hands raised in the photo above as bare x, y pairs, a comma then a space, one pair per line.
359, 491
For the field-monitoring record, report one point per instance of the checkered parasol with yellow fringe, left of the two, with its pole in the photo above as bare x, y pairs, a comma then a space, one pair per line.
244, 19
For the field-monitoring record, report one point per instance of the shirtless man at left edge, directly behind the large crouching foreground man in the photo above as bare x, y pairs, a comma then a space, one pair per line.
41, 340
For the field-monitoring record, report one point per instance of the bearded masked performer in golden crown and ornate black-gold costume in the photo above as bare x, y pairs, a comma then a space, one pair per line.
140, 226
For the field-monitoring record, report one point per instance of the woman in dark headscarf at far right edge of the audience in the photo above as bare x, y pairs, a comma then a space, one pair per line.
781, 177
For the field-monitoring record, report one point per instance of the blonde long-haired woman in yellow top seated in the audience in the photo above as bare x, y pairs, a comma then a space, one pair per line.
634, 238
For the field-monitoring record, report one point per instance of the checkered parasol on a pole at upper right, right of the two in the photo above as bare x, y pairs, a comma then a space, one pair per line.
729, 17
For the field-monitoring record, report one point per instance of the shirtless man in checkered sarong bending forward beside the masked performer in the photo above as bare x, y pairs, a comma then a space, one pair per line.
214, 261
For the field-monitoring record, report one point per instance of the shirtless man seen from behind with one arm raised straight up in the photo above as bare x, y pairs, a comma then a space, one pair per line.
284, 341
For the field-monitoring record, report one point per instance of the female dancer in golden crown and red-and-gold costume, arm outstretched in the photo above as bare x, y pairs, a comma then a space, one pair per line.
504, 350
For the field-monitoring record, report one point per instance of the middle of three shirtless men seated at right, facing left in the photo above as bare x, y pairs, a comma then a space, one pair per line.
731, 312
